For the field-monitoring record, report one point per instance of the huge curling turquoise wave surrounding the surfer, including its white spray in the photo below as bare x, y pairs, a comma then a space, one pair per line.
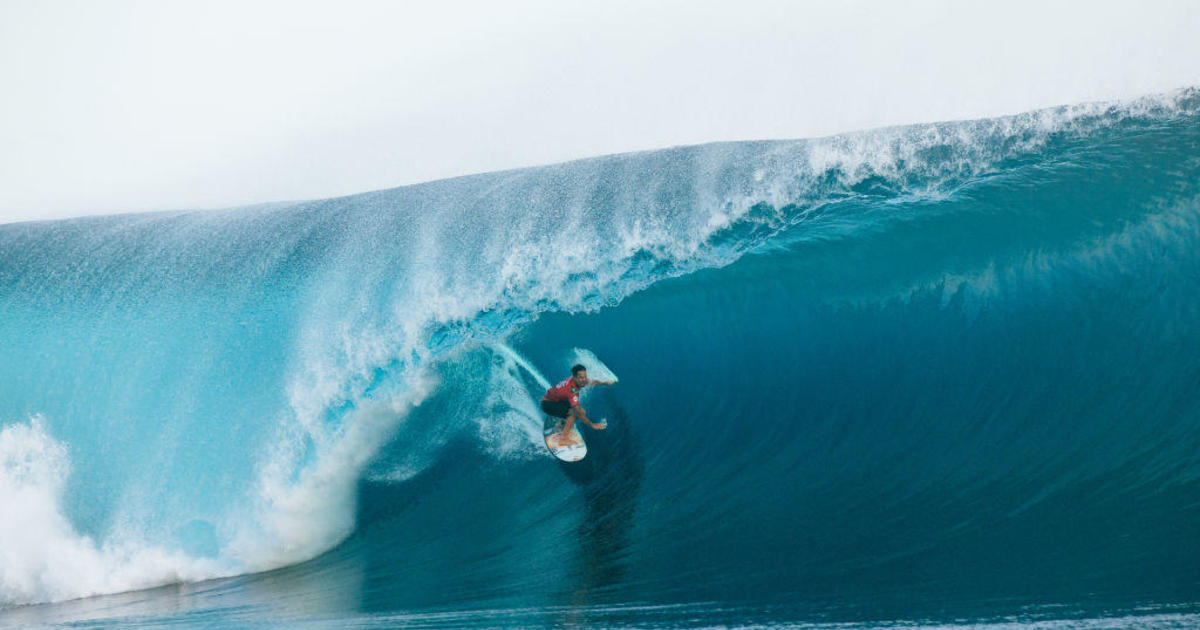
901, 369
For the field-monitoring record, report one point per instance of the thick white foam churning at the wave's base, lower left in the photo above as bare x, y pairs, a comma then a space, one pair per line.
303, 506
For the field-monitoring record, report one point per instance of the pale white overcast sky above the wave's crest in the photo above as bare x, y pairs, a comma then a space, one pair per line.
124, 106
